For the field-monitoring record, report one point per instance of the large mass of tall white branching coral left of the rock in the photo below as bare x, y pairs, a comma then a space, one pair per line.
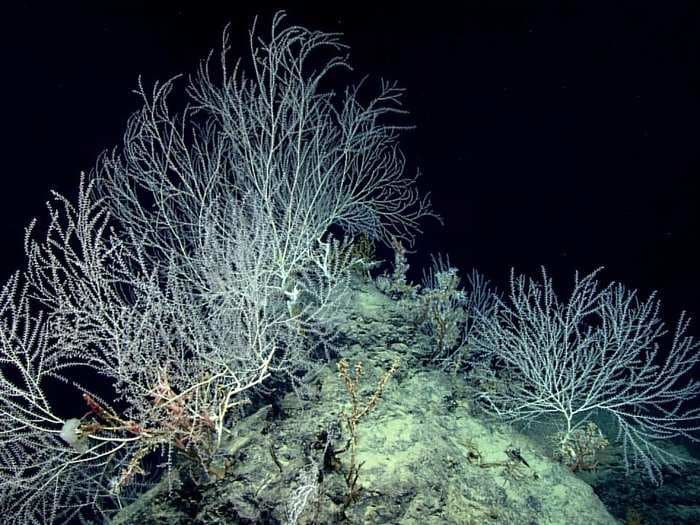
196, 265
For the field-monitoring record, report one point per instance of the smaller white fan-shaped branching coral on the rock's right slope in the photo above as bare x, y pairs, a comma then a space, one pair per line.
595, 354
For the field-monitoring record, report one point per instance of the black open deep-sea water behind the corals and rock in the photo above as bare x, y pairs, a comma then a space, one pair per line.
563, 135
